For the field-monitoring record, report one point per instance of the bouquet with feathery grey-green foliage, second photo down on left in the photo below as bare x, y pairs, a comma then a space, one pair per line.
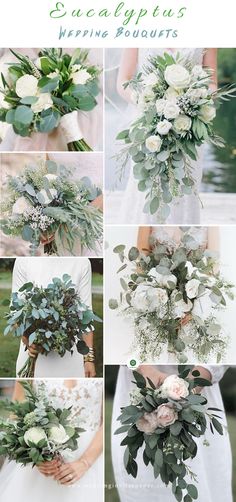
44, 201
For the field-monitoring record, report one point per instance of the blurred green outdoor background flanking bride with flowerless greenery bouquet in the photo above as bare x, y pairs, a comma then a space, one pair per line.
9, 345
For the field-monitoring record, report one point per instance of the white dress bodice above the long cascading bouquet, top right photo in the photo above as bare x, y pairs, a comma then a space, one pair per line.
191, 54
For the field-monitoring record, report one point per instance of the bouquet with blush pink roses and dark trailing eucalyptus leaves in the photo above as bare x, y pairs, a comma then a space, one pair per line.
164, 422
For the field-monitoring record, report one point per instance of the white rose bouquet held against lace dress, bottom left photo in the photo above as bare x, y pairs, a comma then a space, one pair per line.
38, 431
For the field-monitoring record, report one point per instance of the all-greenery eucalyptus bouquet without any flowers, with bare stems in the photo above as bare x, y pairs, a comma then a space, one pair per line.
53, 318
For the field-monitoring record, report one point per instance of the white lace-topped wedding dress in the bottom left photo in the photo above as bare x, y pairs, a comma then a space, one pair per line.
24, 484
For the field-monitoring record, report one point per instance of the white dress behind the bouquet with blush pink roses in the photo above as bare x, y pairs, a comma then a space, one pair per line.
213, 464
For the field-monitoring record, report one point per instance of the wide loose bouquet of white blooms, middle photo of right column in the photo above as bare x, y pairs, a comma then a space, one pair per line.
171, 297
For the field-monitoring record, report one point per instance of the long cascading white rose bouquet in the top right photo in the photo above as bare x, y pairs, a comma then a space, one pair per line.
176, 111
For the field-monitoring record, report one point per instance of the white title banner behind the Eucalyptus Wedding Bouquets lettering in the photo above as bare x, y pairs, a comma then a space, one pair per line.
26, 23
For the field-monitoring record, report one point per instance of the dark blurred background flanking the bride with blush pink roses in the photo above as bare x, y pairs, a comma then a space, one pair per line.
228, 389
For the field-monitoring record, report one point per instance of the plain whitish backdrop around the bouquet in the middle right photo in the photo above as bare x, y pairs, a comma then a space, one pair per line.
117, 336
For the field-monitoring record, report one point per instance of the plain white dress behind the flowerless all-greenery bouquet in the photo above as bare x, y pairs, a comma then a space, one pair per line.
41, 271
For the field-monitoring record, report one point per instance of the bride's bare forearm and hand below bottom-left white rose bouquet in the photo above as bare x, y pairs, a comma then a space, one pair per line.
70, 473
